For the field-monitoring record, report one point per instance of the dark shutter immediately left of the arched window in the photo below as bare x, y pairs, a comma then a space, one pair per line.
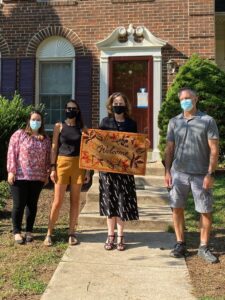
26, 79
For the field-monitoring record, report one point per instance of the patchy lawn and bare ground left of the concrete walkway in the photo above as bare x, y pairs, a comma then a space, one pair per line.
25, 270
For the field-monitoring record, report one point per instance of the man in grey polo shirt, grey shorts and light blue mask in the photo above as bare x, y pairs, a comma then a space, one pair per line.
190, 159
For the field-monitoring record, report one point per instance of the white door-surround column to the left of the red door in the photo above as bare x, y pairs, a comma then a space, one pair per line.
104, 86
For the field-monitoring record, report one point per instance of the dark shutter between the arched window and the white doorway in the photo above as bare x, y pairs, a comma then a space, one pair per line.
83, 86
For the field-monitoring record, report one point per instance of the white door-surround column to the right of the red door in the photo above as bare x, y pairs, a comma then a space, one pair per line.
157, 100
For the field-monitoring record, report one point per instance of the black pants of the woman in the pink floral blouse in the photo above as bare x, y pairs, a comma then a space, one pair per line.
25, 193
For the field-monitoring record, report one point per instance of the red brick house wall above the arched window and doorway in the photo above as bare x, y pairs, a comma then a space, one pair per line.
187, 25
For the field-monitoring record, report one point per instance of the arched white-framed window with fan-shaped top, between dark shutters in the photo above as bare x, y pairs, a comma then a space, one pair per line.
55, 80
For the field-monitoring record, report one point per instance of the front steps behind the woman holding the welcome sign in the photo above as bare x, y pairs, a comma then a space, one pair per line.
154, 212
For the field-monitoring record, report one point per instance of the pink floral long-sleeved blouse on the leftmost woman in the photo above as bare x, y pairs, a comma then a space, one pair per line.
28, 158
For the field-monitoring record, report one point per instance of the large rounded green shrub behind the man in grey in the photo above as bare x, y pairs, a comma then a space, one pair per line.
209, 82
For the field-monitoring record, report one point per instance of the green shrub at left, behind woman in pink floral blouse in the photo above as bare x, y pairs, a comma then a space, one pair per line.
13, 115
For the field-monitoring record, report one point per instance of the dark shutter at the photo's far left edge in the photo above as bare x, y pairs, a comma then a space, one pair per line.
8, 77
